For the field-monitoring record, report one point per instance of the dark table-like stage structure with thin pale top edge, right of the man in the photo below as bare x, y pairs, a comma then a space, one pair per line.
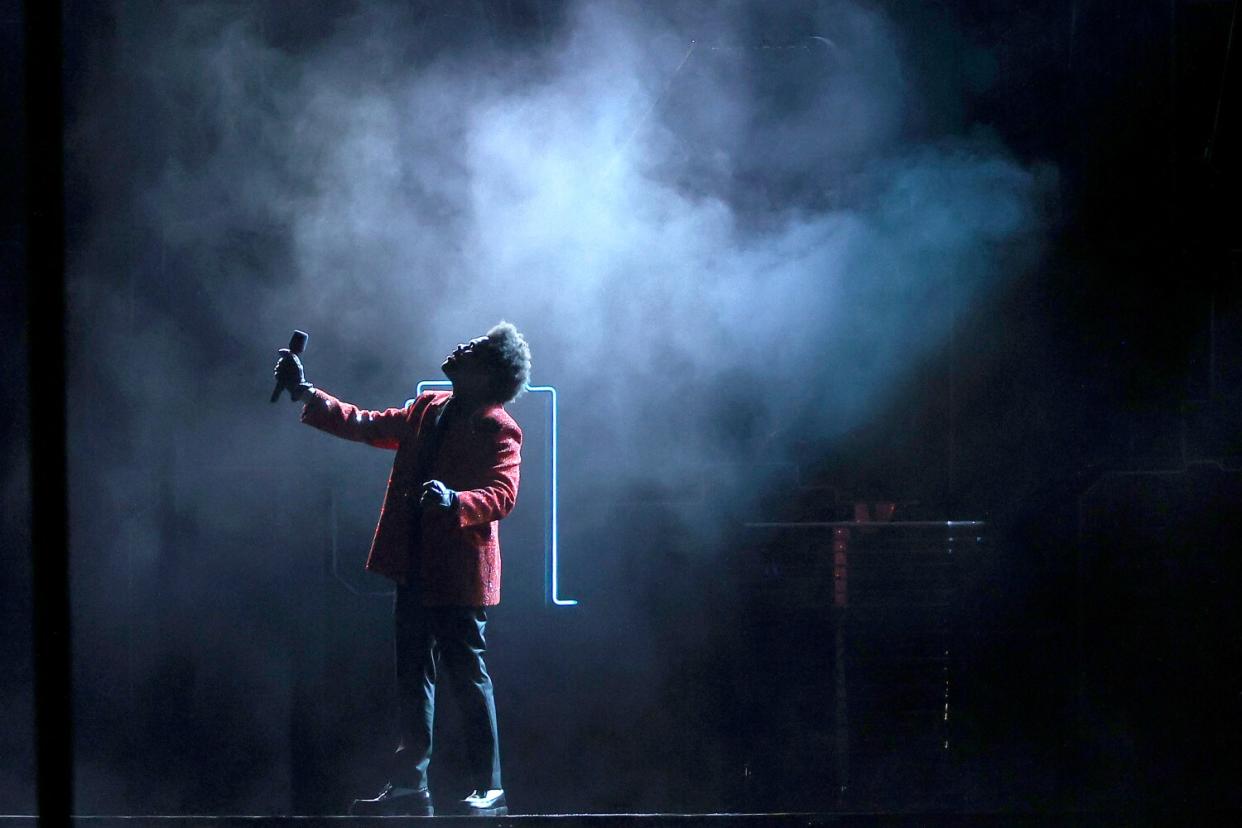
890, 608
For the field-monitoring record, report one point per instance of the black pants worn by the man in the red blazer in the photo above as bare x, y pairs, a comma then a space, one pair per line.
429, 639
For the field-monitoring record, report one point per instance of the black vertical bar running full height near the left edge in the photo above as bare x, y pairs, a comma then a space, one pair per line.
45, 335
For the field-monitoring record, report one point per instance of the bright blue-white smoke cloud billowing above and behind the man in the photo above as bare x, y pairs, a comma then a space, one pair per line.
663, 215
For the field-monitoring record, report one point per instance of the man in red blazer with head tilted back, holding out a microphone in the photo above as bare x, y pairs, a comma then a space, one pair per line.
455, 476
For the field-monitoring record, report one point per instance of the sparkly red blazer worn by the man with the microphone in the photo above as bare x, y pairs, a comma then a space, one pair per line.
458, 554
